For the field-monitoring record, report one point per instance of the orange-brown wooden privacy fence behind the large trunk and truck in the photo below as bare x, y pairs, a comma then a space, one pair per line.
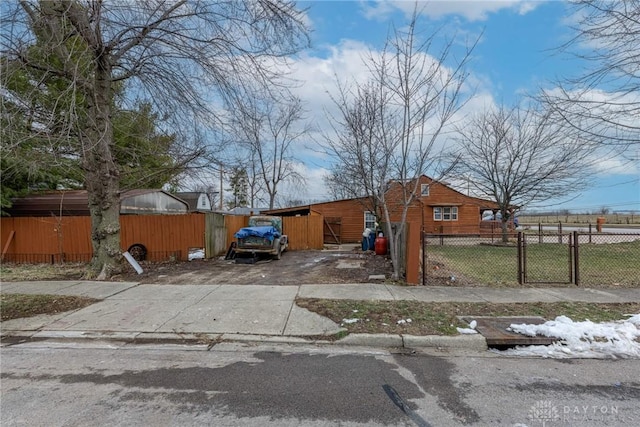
165, 237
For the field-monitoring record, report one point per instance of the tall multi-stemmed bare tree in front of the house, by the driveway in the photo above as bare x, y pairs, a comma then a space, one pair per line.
388, 127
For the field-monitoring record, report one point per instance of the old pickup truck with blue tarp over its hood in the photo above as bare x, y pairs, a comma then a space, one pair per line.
262, 236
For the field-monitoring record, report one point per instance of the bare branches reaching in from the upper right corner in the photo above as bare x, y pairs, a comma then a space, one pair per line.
603, 104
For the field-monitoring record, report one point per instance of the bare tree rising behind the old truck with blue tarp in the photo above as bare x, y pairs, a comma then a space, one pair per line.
270, 127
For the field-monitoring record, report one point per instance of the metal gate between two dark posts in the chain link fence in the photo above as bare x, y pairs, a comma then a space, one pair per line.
547, 258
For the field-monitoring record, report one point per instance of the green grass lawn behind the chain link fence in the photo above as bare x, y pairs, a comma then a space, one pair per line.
600, 264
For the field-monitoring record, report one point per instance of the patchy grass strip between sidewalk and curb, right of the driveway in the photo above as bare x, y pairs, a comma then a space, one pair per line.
442, 318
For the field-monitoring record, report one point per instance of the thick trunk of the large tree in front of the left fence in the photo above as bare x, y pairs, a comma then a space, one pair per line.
101, 178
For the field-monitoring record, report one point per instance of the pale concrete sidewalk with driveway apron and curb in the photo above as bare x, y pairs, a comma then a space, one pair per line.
183, 313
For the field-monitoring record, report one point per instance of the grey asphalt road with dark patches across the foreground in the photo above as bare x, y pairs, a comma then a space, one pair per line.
91, 383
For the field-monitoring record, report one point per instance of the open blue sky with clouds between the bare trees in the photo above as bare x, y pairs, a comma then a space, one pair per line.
517, 54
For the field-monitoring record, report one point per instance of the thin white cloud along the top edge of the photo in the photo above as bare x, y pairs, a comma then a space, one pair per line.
472, 10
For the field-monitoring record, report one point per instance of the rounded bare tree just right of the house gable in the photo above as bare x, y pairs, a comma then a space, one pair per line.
521, 156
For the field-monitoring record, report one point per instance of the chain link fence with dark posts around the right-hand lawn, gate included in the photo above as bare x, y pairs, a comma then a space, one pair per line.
581, 258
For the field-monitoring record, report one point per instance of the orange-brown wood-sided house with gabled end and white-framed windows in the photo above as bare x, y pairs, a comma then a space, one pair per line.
438, 209
